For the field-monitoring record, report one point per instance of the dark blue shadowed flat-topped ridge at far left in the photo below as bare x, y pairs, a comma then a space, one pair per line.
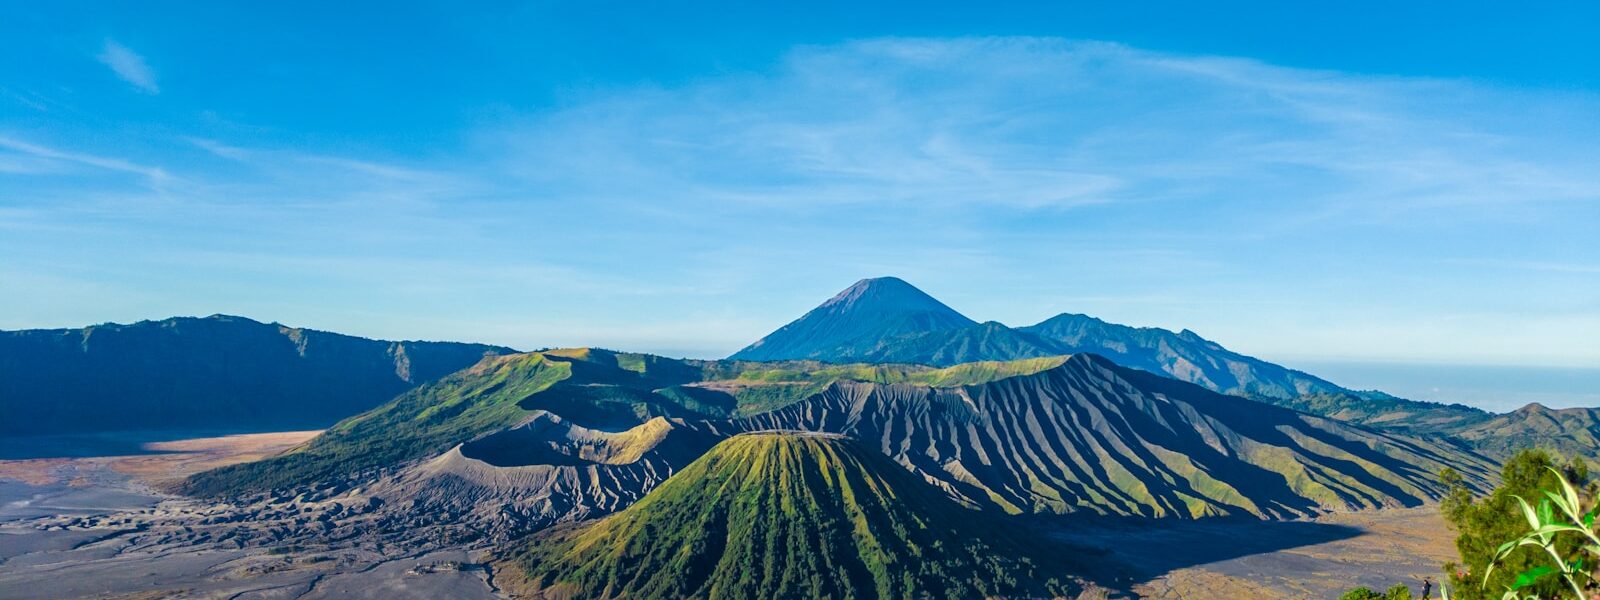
218, 372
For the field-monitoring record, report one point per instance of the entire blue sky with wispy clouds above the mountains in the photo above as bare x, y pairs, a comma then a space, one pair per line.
1350, 183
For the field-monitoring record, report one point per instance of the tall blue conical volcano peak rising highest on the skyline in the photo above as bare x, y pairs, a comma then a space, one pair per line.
857, 322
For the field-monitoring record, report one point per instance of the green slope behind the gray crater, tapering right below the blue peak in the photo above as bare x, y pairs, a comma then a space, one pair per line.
590, 388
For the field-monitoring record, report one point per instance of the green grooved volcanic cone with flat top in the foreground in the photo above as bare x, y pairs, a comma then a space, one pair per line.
780, 516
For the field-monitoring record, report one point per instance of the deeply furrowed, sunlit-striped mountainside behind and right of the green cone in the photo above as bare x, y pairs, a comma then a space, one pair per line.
1100, 439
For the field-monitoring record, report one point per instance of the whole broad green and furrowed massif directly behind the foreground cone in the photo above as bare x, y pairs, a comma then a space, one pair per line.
1058, 434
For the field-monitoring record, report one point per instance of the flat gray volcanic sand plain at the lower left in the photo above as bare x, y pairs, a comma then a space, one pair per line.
92, 527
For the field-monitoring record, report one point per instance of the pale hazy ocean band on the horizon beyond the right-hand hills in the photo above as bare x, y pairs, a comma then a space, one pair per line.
1495, 388
